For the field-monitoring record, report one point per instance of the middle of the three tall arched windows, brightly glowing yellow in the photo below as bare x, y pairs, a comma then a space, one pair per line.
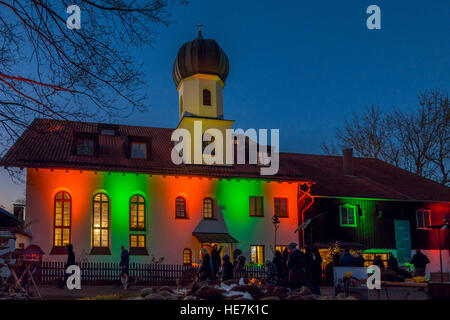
100, 225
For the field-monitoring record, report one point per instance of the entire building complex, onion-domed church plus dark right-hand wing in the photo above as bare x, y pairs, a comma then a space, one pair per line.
100, 186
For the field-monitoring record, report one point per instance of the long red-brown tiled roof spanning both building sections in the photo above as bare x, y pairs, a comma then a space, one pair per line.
48, 144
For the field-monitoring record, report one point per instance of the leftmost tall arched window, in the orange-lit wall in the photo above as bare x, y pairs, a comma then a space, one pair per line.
62, 223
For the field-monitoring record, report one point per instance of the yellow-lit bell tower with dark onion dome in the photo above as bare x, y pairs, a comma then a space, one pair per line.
199, 72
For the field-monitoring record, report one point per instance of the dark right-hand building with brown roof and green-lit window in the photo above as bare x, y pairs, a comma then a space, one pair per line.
371, 205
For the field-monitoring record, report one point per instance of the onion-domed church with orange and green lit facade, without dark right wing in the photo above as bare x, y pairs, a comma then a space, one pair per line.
100, 186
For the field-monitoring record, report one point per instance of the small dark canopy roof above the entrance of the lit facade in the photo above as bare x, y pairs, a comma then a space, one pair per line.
213, 230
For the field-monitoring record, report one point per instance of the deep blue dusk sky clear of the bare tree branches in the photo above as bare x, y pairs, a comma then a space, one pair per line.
302, 66
